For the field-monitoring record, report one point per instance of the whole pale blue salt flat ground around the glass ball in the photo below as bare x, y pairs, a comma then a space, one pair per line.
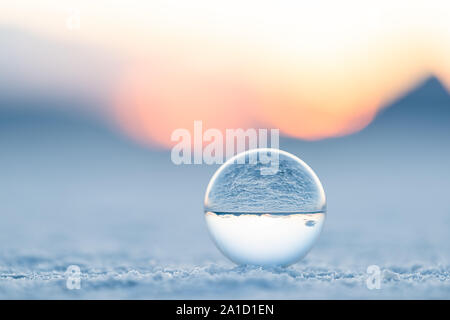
134, 225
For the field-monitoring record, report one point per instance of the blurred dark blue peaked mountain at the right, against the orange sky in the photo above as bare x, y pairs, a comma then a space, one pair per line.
419, 118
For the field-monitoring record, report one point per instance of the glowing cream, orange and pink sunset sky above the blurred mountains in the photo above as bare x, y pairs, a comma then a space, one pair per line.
313, 70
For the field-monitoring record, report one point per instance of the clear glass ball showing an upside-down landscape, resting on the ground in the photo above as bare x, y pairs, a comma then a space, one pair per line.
267, 213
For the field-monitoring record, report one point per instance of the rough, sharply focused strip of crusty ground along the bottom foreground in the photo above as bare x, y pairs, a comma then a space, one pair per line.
116, 276
